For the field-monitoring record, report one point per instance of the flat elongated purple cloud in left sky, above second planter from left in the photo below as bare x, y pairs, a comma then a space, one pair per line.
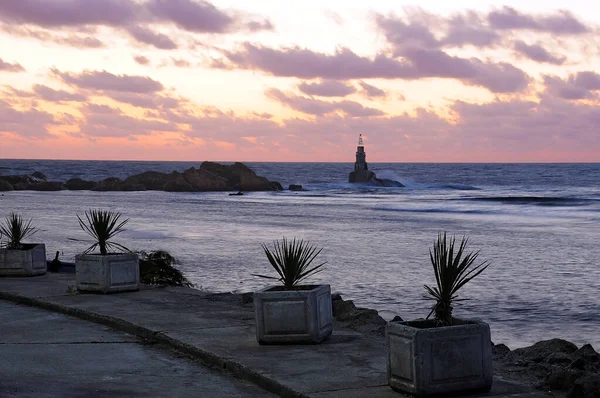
103, 80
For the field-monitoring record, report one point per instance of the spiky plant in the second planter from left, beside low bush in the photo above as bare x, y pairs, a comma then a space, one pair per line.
103, 225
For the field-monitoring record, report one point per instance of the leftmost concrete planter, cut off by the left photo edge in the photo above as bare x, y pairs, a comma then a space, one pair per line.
28, 262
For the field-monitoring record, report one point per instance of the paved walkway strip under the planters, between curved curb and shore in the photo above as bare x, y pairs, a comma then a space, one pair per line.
219, 330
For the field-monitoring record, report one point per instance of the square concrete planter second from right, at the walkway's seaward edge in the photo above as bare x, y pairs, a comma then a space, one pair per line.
293, 316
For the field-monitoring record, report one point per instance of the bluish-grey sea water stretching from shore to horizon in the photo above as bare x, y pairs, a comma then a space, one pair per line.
538, 225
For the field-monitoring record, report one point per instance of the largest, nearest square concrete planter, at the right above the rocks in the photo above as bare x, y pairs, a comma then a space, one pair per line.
424, 360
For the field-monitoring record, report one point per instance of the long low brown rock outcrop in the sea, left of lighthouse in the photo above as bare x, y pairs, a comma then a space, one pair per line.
209, 176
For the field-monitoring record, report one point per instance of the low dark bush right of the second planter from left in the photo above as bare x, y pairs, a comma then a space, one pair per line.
156, 268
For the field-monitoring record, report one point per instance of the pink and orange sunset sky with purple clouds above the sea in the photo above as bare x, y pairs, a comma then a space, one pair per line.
283, 81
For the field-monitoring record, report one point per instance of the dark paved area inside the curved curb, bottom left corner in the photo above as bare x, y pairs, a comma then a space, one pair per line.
45, 354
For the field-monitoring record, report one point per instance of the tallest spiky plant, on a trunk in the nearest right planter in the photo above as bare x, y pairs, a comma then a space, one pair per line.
452, 271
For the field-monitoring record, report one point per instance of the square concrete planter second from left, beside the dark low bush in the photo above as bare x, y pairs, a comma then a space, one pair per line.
107, 274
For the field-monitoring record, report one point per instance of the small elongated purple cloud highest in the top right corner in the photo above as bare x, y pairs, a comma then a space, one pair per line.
559, 23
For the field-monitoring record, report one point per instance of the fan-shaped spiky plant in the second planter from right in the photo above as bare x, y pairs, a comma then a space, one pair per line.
292, 261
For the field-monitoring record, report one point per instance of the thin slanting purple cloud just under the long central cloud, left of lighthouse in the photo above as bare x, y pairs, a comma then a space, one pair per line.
317, 107
